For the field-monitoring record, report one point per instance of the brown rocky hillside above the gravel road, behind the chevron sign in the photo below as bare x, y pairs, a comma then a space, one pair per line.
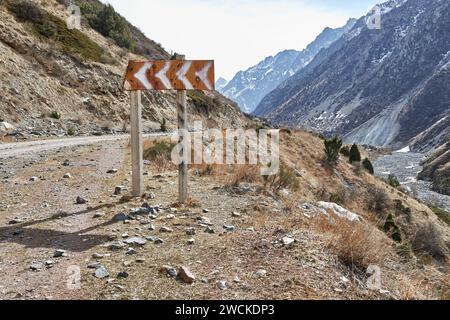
72, 86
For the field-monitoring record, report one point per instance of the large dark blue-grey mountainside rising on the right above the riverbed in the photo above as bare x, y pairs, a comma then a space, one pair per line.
376, 86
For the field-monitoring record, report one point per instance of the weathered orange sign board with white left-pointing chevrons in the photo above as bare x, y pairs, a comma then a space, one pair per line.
170, 75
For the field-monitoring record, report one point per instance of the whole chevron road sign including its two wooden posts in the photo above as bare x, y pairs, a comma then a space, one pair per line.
180, 75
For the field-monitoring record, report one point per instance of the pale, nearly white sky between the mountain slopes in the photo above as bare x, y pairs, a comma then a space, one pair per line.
237, 34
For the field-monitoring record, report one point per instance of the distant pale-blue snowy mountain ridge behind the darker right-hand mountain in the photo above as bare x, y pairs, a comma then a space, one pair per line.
247, 88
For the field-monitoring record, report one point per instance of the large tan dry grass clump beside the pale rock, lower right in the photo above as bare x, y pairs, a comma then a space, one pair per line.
356, 245
